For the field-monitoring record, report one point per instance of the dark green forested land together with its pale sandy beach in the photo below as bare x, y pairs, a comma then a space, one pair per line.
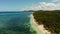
48, 22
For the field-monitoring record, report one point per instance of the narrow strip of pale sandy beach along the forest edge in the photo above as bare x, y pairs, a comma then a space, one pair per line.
40, 27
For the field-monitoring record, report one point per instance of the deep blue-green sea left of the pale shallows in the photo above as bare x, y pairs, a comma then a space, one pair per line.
15, 23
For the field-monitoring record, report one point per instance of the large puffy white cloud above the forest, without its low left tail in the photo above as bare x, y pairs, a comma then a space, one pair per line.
47, 6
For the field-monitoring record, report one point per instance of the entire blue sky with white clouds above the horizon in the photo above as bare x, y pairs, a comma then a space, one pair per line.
18, 5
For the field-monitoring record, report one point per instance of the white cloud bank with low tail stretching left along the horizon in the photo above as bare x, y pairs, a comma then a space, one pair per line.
43, 6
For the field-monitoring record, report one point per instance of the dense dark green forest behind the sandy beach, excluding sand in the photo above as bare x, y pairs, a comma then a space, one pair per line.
50, 19
